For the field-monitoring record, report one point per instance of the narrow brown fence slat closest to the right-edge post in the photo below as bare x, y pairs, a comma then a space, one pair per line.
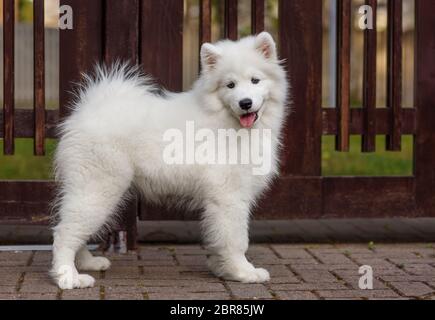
394, 73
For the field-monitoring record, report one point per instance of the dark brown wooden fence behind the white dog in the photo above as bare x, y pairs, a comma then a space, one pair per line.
150, 32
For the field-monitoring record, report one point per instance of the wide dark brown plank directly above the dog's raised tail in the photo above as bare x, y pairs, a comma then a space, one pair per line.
80, 48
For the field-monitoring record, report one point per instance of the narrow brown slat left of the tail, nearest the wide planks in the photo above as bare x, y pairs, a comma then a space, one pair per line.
39, 77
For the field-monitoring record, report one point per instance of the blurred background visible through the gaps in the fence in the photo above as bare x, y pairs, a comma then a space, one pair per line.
23, 165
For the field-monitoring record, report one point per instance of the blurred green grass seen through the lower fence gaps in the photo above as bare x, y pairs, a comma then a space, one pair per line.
25, 166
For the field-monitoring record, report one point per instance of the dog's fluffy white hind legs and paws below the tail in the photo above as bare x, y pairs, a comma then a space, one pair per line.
83, 212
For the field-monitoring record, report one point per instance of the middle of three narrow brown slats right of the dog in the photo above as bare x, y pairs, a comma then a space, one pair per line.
369, 83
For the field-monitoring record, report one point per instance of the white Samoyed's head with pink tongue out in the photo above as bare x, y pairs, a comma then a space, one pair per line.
244, 76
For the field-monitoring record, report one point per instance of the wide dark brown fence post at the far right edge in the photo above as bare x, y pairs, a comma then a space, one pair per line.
425, 102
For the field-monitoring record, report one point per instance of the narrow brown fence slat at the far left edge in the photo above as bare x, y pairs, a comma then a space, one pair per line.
8, 76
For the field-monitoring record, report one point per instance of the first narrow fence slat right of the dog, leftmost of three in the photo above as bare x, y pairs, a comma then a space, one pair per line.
343, 73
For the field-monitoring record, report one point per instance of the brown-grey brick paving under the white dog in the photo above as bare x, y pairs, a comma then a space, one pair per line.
299, 271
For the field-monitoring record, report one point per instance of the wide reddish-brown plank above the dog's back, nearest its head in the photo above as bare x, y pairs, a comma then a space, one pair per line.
161, 47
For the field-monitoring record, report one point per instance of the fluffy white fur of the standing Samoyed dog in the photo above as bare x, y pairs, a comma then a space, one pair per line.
113, 139
